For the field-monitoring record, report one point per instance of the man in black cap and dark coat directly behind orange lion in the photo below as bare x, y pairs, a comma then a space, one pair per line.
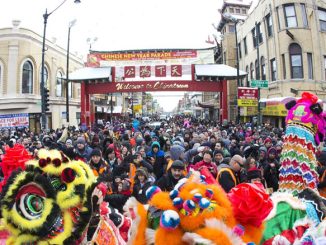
171, 178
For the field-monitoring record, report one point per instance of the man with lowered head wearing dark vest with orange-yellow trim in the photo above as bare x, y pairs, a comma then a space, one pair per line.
227, 175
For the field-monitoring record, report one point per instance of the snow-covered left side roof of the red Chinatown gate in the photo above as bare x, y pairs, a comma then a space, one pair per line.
90, 73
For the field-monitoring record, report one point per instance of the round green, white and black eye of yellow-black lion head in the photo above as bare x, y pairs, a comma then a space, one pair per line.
30, 206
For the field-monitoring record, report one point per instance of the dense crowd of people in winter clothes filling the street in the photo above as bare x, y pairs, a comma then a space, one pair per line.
130, 157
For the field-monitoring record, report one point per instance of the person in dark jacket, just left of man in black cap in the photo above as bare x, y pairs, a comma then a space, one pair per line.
141, 185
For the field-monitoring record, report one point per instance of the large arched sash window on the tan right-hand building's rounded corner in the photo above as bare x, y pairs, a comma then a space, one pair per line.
296, 60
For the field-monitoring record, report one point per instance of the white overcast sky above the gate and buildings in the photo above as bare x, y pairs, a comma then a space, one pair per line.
119, 24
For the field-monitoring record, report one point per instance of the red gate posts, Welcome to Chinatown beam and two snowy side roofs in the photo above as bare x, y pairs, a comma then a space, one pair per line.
205, 78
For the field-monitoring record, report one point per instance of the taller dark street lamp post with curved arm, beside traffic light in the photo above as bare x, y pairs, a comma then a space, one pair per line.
45, 18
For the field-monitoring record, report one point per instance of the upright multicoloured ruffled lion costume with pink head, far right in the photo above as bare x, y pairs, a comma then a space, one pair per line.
299, 210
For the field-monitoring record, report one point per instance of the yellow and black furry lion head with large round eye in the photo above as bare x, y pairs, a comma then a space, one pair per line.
57, 201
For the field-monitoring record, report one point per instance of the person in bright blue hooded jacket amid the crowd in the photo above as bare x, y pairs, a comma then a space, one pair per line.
156, 157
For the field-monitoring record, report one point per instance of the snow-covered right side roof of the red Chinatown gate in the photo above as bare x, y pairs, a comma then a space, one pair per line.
218, 70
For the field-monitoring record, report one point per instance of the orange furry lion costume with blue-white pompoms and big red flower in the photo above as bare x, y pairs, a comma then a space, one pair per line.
197, 213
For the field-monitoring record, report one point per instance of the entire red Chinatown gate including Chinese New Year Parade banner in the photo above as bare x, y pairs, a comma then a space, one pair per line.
151, 71
